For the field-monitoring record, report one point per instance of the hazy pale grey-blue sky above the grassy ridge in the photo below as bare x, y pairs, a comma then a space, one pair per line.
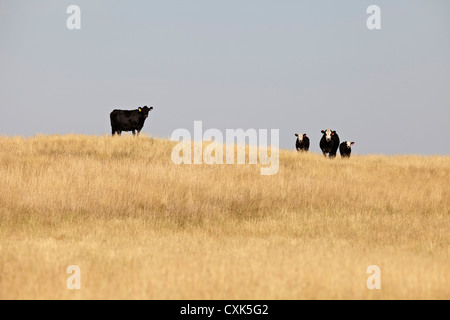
297, 66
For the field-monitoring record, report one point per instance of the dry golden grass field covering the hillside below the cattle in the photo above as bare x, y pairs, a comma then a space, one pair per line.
140, 227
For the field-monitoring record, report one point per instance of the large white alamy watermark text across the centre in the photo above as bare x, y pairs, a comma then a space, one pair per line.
213, 152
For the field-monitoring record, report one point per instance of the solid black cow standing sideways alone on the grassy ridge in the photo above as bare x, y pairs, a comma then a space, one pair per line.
129, 120
